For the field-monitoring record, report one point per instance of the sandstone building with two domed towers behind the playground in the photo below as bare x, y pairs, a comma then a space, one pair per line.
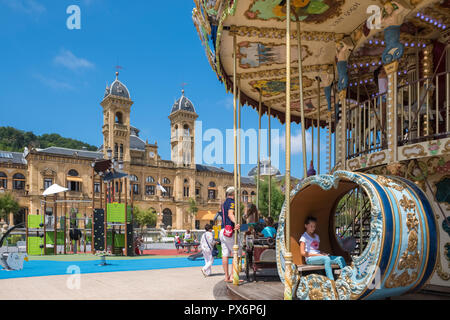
26, 175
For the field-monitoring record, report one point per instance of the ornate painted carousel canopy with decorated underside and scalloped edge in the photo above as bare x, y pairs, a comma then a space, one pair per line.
330, 30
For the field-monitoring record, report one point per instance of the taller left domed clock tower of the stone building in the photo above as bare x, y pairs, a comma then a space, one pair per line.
116, 120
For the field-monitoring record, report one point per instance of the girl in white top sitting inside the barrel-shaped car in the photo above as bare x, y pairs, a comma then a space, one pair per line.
309, 248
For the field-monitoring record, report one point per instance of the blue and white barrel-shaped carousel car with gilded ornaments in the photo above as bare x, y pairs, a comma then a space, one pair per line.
401, 251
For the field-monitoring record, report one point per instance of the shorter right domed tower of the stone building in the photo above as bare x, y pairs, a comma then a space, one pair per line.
182, 138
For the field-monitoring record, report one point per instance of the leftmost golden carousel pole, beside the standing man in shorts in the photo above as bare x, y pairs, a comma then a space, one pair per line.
235, 247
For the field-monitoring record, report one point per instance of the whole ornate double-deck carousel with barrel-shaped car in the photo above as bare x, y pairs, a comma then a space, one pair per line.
373, 78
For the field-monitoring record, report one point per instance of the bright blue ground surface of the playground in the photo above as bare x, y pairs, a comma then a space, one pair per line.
39, 268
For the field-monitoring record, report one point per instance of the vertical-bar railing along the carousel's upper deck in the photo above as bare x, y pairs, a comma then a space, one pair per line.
423, 113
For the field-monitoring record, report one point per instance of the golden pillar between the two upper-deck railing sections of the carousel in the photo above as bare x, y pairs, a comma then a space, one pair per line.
391, 109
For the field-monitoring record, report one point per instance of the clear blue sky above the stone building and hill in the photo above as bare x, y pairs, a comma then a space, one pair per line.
53, 79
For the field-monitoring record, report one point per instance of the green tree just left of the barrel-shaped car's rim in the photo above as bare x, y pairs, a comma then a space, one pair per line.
277, 198
